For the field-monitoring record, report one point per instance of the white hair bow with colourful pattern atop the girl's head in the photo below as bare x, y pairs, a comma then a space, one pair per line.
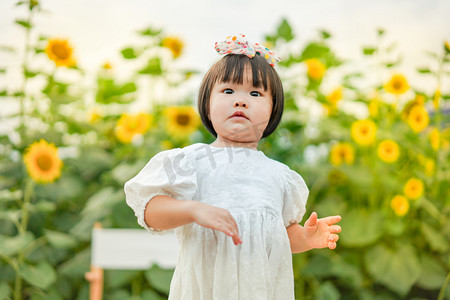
240, 45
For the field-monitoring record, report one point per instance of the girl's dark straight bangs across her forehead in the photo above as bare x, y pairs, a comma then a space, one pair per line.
232, 69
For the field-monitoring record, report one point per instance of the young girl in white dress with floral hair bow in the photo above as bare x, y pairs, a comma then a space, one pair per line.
236, 211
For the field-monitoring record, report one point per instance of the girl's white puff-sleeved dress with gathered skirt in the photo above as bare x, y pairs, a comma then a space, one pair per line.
263, 195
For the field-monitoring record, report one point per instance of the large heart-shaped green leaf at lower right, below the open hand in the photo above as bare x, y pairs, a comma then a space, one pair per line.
398, 269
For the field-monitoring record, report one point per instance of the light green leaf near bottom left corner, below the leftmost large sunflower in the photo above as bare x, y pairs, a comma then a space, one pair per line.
41, 275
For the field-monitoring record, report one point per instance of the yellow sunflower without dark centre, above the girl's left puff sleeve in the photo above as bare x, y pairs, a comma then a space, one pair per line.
129, 126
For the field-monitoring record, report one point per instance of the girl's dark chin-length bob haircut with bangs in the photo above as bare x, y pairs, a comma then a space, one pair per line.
231, 69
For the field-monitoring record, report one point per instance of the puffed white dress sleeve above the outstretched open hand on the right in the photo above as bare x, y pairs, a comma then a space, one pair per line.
295, 196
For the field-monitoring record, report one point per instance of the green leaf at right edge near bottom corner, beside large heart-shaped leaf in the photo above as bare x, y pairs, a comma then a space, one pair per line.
433, 273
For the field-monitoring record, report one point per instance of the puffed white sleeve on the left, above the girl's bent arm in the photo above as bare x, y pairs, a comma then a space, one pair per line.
171, 173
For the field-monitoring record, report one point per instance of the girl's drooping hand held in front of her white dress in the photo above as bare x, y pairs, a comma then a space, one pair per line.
216, 218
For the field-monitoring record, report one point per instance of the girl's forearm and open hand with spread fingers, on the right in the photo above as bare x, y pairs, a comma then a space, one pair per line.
317, 233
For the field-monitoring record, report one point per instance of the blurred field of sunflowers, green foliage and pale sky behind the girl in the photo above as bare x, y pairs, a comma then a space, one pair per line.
91, 90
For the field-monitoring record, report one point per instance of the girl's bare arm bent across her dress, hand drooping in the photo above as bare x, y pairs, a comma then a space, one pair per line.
164, 212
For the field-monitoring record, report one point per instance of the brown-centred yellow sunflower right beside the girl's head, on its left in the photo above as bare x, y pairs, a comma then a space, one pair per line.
181, 120
